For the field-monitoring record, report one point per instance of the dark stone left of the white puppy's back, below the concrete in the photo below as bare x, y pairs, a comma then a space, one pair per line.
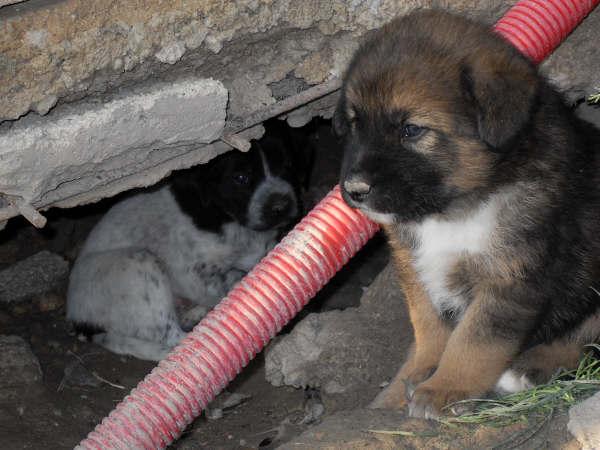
33, 276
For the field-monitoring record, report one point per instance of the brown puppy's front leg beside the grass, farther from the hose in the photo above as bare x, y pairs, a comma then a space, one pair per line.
479, 350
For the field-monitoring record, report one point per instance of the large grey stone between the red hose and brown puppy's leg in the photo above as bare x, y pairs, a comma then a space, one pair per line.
346, 351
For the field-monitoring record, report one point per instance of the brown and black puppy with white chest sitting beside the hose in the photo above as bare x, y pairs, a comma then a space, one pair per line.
489, 191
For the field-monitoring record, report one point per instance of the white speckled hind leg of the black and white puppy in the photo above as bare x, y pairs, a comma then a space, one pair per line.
126, 293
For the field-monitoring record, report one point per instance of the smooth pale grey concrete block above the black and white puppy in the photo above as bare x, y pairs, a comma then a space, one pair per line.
78, 148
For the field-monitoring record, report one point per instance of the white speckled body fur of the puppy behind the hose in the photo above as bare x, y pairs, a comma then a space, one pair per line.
142, 257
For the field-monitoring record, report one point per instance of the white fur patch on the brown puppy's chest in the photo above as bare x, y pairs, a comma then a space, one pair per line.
442, 242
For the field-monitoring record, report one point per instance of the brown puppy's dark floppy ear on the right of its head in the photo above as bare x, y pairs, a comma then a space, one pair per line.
502, 88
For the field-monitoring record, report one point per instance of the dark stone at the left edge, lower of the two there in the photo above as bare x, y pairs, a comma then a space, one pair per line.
18, 364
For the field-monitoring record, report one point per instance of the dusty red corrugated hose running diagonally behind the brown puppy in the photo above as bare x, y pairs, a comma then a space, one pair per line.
156, 412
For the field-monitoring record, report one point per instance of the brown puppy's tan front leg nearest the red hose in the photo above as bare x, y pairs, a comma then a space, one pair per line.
431, 335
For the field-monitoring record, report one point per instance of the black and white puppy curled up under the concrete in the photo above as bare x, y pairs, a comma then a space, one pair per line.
188, 241
